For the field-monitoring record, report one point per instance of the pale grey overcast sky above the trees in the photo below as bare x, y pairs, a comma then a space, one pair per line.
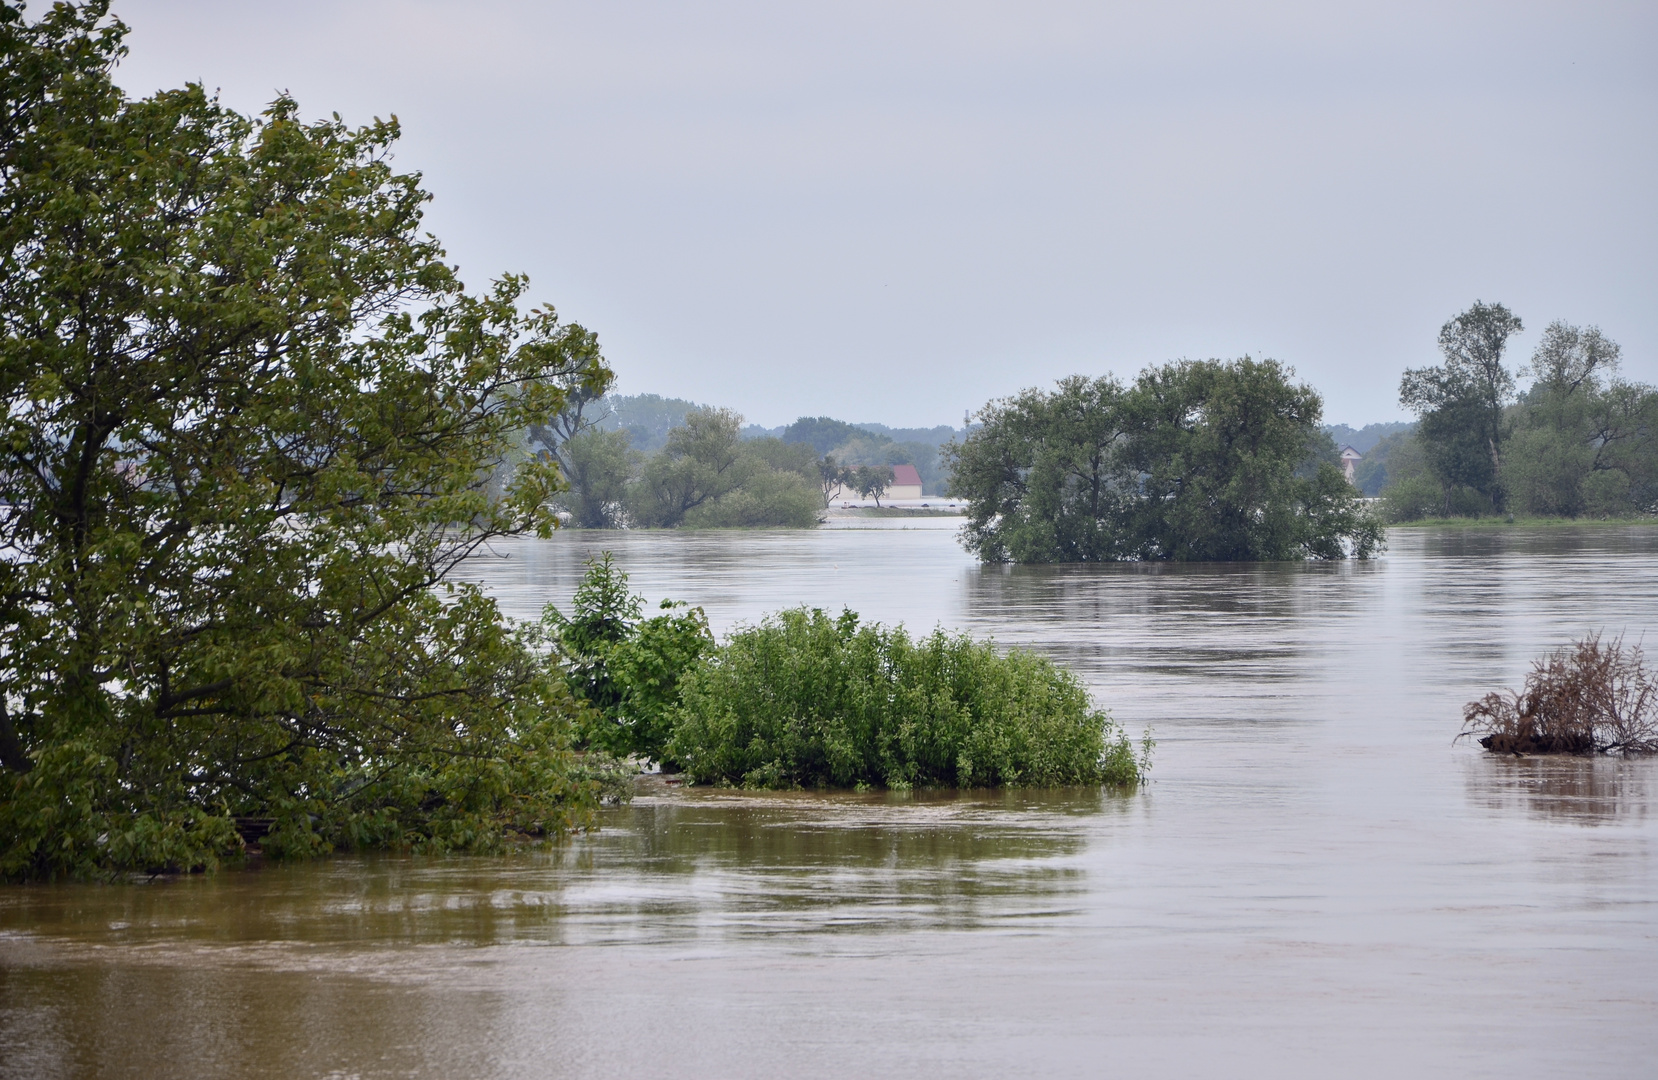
898, 212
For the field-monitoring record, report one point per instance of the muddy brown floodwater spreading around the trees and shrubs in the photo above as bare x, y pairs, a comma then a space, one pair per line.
1317, 882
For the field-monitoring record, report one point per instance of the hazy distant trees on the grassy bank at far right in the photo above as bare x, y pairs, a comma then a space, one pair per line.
1581, 442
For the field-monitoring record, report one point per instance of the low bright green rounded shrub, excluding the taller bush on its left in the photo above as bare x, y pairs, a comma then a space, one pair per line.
810, 701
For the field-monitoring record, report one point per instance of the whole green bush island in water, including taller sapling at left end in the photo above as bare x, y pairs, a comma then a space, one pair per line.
813, 701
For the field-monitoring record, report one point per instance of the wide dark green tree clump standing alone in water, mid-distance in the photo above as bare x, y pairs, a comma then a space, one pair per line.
1196, 460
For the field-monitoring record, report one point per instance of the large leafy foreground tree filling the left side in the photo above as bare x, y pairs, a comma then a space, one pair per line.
251, 426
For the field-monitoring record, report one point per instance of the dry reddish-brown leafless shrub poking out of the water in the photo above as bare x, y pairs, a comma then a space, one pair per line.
1579, 699
